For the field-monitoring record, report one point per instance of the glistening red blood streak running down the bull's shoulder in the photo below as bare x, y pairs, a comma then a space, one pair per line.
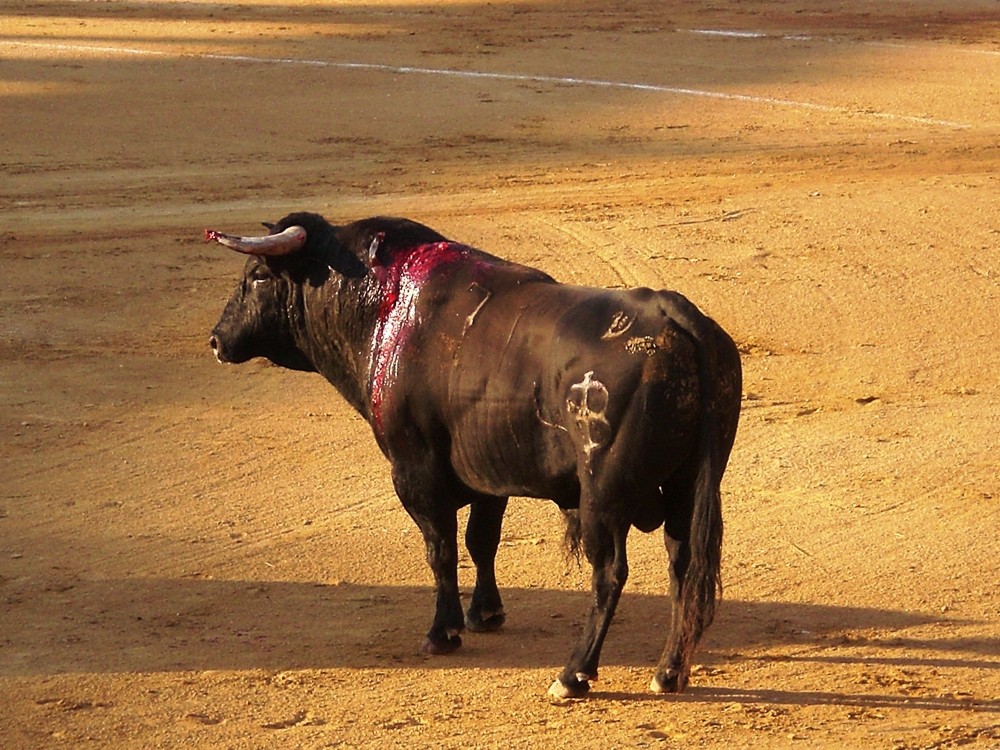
401, 281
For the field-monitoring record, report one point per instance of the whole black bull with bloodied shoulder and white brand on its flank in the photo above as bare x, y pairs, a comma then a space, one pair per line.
483, 379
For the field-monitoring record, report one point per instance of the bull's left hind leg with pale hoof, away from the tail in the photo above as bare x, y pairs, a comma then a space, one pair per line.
604, 545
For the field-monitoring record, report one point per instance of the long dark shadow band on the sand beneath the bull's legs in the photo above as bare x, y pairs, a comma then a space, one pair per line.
144, 625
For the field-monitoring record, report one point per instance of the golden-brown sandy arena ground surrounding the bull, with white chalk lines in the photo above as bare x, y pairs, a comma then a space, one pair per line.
194, 555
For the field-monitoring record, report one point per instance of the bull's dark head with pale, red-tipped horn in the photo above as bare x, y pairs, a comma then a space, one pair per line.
259, 321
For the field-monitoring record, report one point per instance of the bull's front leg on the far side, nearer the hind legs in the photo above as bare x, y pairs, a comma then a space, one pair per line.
482, 537
